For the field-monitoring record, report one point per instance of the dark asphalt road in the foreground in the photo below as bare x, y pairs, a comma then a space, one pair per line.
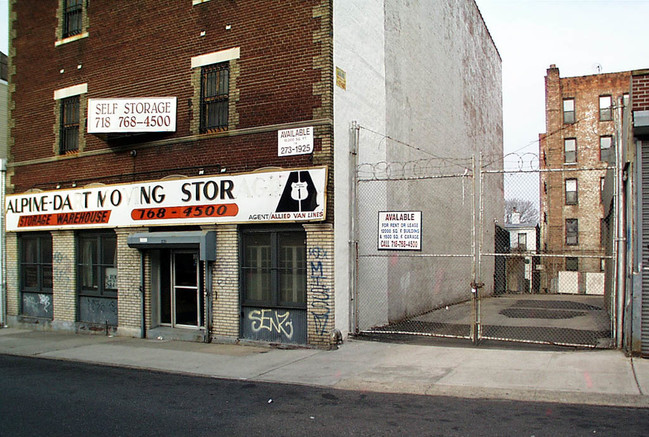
56, 398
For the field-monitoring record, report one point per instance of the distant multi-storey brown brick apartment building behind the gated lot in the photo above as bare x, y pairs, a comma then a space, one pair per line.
575, 152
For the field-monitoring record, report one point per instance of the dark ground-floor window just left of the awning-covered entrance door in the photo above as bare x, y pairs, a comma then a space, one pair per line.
97, 264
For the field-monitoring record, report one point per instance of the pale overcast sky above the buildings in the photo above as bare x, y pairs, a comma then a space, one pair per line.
579, 36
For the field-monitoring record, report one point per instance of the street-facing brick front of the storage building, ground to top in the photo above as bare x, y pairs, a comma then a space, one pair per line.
145, 49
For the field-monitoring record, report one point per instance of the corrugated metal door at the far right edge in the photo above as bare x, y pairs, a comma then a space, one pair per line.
645, 249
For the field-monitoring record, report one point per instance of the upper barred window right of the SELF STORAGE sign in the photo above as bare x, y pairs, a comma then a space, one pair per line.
215, 89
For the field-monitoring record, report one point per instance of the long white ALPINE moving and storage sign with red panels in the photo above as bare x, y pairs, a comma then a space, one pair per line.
273, 196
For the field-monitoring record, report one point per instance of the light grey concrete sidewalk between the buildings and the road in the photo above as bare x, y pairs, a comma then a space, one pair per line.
599, 377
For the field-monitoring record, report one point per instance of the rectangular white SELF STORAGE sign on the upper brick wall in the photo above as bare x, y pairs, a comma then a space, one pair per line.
147, 114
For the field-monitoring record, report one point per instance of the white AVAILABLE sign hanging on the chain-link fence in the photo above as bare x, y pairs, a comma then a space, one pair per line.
400, 230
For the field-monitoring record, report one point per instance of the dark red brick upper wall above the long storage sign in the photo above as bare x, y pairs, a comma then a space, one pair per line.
143, 49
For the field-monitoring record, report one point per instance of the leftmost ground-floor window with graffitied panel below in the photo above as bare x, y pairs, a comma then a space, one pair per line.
36, 275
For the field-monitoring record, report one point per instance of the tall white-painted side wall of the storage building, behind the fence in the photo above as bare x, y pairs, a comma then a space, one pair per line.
426, 73
